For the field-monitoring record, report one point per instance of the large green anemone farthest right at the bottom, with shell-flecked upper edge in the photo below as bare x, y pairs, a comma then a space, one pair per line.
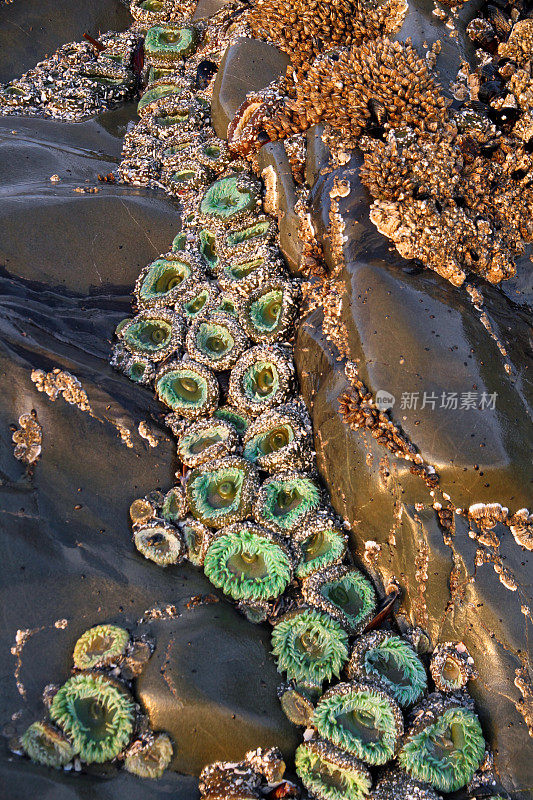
444, 745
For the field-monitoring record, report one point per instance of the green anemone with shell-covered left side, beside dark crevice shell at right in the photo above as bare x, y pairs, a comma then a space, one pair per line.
344, 593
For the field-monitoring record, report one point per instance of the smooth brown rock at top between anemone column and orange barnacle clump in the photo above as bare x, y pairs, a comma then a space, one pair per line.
247, 66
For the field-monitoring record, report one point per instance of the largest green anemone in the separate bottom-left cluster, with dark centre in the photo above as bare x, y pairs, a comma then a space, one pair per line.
96, 713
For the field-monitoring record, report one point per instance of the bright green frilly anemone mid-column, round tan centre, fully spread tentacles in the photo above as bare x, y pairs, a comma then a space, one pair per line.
248, 563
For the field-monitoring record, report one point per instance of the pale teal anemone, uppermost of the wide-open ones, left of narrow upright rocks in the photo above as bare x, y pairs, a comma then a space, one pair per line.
229, 200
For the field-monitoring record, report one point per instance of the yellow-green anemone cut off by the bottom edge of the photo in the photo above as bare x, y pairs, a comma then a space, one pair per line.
328, 773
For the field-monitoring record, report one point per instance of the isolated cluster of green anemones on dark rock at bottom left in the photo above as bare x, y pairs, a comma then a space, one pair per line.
93, 717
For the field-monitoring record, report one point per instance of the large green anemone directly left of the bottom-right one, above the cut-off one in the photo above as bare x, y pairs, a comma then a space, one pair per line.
362, 719
